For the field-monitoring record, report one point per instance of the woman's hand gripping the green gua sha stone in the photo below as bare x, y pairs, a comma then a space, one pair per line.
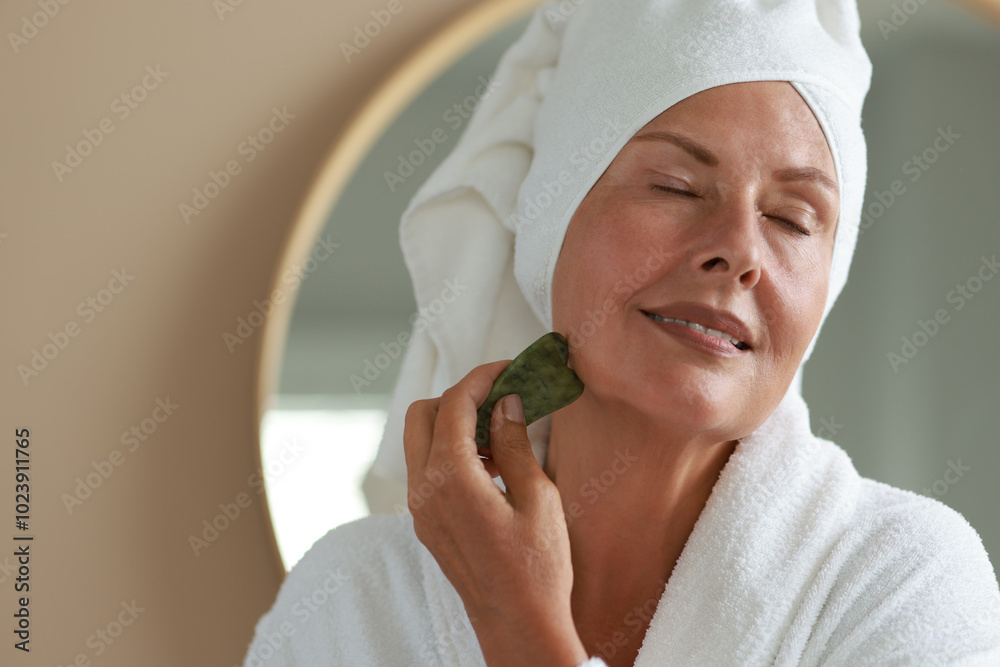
507, 554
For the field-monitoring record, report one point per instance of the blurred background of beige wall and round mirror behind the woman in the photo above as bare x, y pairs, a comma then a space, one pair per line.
197, 259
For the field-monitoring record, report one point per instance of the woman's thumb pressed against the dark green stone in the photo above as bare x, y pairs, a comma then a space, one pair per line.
511, 449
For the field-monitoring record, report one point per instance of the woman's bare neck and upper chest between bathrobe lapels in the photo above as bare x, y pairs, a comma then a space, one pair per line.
632, 491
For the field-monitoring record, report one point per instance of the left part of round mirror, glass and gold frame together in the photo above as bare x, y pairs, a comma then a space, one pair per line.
328, 372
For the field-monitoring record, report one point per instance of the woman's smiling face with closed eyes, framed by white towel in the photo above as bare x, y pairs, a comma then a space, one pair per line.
725, 205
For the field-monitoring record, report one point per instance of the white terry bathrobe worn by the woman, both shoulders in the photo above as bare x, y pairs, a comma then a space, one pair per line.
795, 560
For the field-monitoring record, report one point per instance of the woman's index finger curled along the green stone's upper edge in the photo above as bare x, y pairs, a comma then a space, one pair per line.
455, 428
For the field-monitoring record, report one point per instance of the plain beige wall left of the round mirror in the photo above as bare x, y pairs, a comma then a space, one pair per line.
161, 335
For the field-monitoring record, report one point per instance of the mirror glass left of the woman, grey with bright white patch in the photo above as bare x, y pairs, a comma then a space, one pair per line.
343, 349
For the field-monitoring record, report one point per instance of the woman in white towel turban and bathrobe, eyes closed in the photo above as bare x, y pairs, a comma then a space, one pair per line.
682, 512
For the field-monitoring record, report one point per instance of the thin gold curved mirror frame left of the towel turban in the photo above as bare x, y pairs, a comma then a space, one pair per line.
369, 122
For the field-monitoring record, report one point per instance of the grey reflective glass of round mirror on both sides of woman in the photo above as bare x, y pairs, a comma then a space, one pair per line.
907, 406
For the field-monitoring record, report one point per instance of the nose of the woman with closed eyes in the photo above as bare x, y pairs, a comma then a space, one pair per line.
731, 247
